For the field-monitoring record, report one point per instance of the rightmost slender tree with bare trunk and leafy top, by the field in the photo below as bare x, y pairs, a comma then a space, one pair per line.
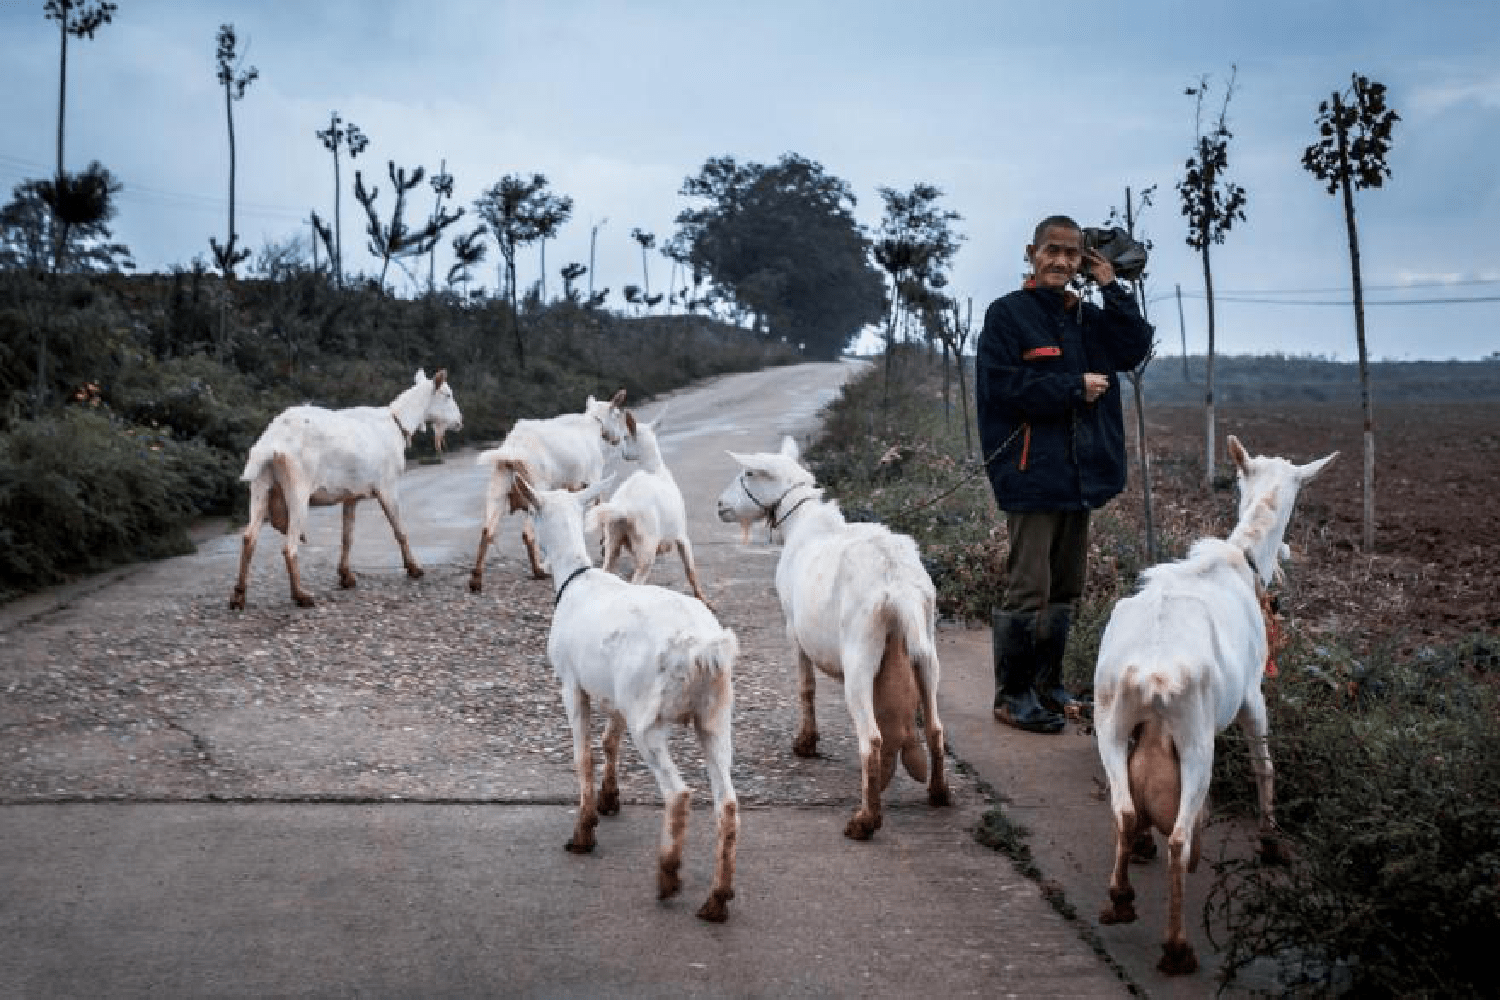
1355, 137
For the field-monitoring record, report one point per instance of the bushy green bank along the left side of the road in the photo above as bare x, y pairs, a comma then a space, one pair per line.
143, 415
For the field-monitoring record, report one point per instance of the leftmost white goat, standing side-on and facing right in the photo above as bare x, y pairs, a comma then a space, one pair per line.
316, 457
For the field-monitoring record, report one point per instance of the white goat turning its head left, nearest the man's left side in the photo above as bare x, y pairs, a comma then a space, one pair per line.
860, 608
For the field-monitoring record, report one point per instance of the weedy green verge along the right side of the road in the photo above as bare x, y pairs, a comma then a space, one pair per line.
1388, 773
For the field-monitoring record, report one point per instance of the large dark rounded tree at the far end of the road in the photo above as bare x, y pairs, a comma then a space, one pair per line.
784, 242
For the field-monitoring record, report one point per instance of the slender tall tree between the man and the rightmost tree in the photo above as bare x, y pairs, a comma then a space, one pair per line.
1211, 206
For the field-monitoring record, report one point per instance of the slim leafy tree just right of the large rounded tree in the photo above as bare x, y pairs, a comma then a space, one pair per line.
914, 245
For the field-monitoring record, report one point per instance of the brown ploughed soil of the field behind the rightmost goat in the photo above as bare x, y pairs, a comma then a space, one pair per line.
1432, 578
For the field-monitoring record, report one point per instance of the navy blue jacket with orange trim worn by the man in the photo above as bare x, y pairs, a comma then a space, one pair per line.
1048, 449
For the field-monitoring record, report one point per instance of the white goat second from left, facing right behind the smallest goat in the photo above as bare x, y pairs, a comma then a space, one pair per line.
563, 452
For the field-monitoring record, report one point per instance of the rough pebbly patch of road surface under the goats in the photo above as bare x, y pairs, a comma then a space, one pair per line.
395, 690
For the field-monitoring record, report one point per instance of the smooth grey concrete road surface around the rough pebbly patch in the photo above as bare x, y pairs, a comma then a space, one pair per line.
191, 897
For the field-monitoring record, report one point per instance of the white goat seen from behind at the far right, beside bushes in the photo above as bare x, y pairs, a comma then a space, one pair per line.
1178, 663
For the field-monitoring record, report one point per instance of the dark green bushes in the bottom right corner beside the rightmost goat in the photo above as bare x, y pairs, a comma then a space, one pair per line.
1388, 783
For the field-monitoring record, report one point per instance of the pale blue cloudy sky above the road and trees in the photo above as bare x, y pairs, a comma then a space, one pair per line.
1013, 110
